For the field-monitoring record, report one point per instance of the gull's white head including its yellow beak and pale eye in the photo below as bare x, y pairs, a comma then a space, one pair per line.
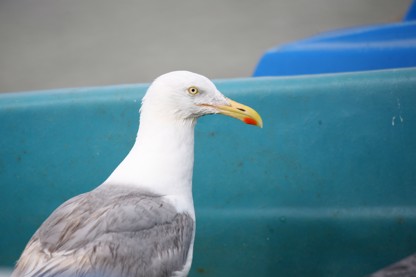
186, 96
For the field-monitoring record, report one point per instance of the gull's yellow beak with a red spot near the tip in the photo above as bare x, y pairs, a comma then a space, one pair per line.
241, 112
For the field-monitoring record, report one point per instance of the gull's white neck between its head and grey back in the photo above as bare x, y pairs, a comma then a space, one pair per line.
161, 160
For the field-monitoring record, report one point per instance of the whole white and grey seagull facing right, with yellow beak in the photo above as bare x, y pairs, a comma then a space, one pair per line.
141, 220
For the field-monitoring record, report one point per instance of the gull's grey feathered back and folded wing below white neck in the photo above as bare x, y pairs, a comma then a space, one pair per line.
109, 233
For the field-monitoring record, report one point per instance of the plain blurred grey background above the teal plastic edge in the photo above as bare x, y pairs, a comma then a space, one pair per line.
48, 44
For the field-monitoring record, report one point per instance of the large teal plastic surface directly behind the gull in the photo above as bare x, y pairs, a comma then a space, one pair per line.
326, 188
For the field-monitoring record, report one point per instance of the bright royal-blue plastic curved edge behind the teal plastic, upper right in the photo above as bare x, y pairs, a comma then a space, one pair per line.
360, 49
